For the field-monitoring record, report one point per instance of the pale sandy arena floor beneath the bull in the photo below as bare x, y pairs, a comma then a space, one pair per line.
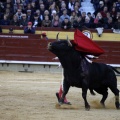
31, 96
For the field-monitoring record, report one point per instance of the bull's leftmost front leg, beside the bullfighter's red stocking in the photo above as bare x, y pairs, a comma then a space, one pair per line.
66, 87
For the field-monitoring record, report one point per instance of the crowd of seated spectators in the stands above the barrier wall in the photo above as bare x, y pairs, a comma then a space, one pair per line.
59, 13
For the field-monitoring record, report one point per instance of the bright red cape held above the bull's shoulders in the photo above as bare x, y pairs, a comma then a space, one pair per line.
84, 44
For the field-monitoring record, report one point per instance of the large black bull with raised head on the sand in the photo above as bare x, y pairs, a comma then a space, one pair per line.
100, 76
